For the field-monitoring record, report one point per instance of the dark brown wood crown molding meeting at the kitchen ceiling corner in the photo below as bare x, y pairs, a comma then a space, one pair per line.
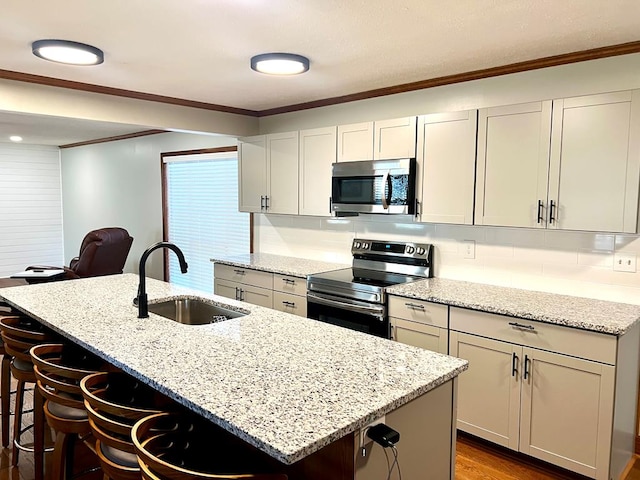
562, 59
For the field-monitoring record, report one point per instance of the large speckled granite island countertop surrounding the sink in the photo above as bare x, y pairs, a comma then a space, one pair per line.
285, 384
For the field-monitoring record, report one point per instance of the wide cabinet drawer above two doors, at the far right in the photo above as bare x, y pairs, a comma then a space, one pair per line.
595, 346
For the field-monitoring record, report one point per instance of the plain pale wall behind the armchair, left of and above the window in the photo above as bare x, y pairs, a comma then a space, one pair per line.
119, 184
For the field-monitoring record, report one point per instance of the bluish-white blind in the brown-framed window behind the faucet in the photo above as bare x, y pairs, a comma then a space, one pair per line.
203, 217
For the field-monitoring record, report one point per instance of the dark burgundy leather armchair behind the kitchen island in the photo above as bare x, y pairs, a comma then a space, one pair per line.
103, 252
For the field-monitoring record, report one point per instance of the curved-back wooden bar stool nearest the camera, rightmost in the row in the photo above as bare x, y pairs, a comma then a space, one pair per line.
176, 446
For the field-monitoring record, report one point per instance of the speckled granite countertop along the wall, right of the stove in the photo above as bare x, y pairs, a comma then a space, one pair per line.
578, 312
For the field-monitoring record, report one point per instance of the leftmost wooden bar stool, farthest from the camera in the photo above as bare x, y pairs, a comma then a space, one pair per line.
18, 335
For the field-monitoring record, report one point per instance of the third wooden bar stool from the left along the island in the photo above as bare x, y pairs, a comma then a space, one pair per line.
115, 401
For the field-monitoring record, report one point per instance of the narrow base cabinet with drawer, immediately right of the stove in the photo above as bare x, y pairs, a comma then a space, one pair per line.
418, 323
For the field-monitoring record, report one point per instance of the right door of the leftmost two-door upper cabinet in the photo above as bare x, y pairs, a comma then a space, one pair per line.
282, 165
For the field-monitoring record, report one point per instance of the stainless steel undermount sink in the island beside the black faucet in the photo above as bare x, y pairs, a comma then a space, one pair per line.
191, 311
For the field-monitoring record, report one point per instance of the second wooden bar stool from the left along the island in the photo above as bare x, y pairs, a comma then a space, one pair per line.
58, 369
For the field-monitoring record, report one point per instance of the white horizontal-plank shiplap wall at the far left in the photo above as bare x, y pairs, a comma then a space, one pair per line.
30, 207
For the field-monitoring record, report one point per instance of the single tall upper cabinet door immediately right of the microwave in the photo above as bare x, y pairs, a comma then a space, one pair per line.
447, 167
